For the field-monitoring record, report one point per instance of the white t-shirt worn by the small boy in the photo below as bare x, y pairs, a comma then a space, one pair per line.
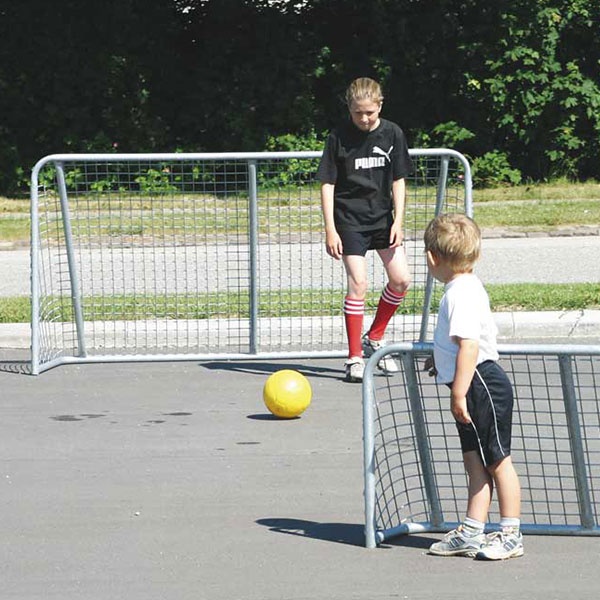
464, 312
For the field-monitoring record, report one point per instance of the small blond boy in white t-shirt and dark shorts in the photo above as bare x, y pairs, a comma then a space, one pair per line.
464, 359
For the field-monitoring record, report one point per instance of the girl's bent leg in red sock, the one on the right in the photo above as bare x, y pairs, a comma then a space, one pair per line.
396, 266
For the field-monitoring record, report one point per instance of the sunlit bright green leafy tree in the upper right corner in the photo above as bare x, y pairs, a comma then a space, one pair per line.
540, 89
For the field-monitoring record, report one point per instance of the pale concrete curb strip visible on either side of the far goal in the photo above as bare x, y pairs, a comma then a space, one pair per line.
566, 325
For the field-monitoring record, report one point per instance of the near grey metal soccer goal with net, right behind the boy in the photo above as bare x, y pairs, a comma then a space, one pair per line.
414, 476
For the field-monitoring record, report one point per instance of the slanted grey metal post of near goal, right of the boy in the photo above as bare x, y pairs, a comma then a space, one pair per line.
581, 477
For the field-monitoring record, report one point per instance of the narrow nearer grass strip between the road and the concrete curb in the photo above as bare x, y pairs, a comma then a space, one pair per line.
295, 303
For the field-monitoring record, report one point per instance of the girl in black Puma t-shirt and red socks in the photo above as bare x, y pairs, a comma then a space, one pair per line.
362, 175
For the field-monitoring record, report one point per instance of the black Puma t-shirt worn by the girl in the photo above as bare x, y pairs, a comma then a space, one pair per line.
362, 166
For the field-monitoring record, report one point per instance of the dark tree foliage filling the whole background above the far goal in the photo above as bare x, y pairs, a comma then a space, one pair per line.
512, 83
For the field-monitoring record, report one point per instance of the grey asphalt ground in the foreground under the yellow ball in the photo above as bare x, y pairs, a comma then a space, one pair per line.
172, 481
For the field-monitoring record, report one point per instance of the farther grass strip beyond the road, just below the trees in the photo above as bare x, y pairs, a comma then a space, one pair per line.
532, 206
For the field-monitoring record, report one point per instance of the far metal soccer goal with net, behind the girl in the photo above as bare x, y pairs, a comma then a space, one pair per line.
206, 256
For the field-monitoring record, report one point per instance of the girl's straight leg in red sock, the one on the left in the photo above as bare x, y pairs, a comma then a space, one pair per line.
354, 302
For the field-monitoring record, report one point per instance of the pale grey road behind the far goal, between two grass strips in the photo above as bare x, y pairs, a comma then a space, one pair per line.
543, 259
